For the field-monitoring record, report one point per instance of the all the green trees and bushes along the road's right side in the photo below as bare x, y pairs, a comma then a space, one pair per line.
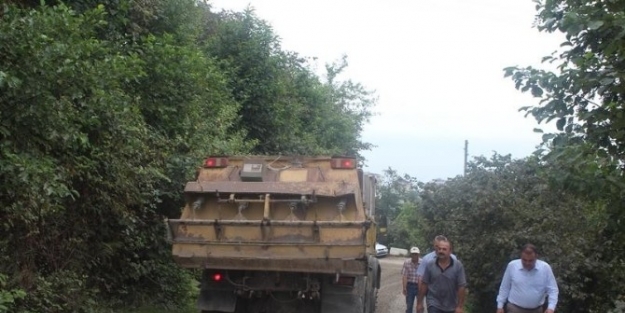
567, 198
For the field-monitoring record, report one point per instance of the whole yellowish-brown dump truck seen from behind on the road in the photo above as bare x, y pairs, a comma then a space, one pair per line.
280, 234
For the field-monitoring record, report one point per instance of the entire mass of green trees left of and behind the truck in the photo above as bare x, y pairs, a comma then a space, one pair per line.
106, 109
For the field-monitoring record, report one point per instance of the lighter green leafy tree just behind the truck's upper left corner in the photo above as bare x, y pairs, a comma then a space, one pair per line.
189, 111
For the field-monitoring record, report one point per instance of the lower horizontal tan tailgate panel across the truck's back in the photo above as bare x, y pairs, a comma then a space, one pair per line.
312, 246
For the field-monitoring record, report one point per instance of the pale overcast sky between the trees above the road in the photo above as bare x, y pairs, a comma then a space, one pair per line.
436, 67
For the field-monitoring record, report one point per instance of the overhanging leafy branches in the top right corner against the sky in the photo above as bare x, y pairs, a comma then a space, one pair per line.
585, 96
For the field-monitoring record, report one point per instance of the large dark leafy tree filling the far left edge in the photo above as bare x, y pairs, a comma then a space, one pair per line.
73, 147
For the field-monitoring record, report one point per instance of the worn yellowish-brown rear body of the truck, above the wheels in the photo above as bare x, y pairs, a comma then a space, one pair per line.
306, 218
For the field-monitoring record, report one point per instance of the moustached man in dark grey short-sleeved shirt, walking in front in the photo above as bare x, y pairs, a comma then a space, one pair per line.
444, 282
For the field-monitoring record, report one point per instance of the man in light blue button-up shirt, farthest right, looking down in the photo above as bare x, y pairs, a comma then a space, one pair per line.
525, 283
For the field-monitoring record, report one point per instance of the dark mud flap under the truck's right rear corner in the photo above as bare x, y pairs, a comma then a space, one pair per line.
339, 299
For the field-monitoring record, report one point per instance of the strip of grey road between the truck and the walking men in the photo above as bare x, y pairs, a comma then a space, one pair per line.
390, 298
